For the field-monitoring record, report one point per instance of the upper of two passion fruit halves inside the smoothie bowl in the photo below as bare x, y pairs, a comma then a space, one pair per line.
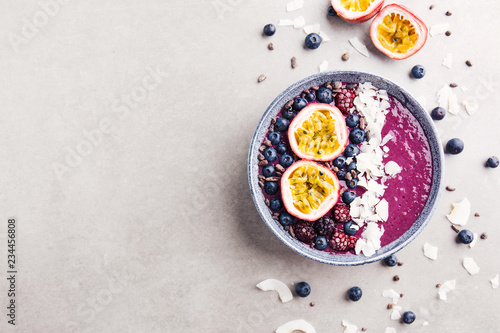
318, 132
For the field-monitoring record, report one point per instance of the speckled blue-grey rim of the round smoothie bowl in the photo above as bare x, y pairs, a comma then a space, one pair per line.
411, 104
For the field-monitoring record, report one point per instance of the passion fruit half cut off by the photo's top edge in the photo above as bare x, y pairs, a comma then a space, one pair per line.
357, 11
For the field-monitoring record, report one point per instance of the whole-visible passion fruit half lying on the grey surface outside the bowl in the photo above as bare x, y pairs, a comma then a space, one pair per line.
397, 32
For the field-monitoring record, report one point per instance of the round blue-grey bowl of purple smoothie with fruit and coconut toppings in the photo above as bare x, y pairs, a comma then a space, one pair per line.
345, 168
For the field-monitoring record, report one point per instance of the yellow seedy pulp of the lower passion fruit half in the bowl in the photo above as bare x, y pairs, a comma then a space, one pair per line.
309, 187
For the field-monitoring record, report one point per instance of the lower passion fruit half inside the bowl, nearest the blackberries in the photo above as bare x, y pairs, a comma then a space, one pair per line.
309, 190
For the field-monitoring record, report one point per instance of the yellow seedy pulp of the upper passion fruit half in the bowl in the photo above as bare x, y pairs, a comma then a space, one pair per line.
317, 136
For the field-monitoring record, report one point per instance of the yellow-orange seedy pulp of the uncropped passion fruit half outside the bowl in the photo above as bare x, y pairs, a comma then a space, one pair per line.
397, 34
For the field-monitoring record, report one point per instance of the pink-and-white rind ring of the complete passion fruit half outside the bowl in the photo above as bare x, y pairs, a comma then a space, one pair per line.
419, 25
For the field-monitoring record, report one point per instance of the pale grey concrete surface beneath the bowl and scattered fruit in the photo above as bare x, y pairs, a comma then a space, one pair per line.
124, 134
